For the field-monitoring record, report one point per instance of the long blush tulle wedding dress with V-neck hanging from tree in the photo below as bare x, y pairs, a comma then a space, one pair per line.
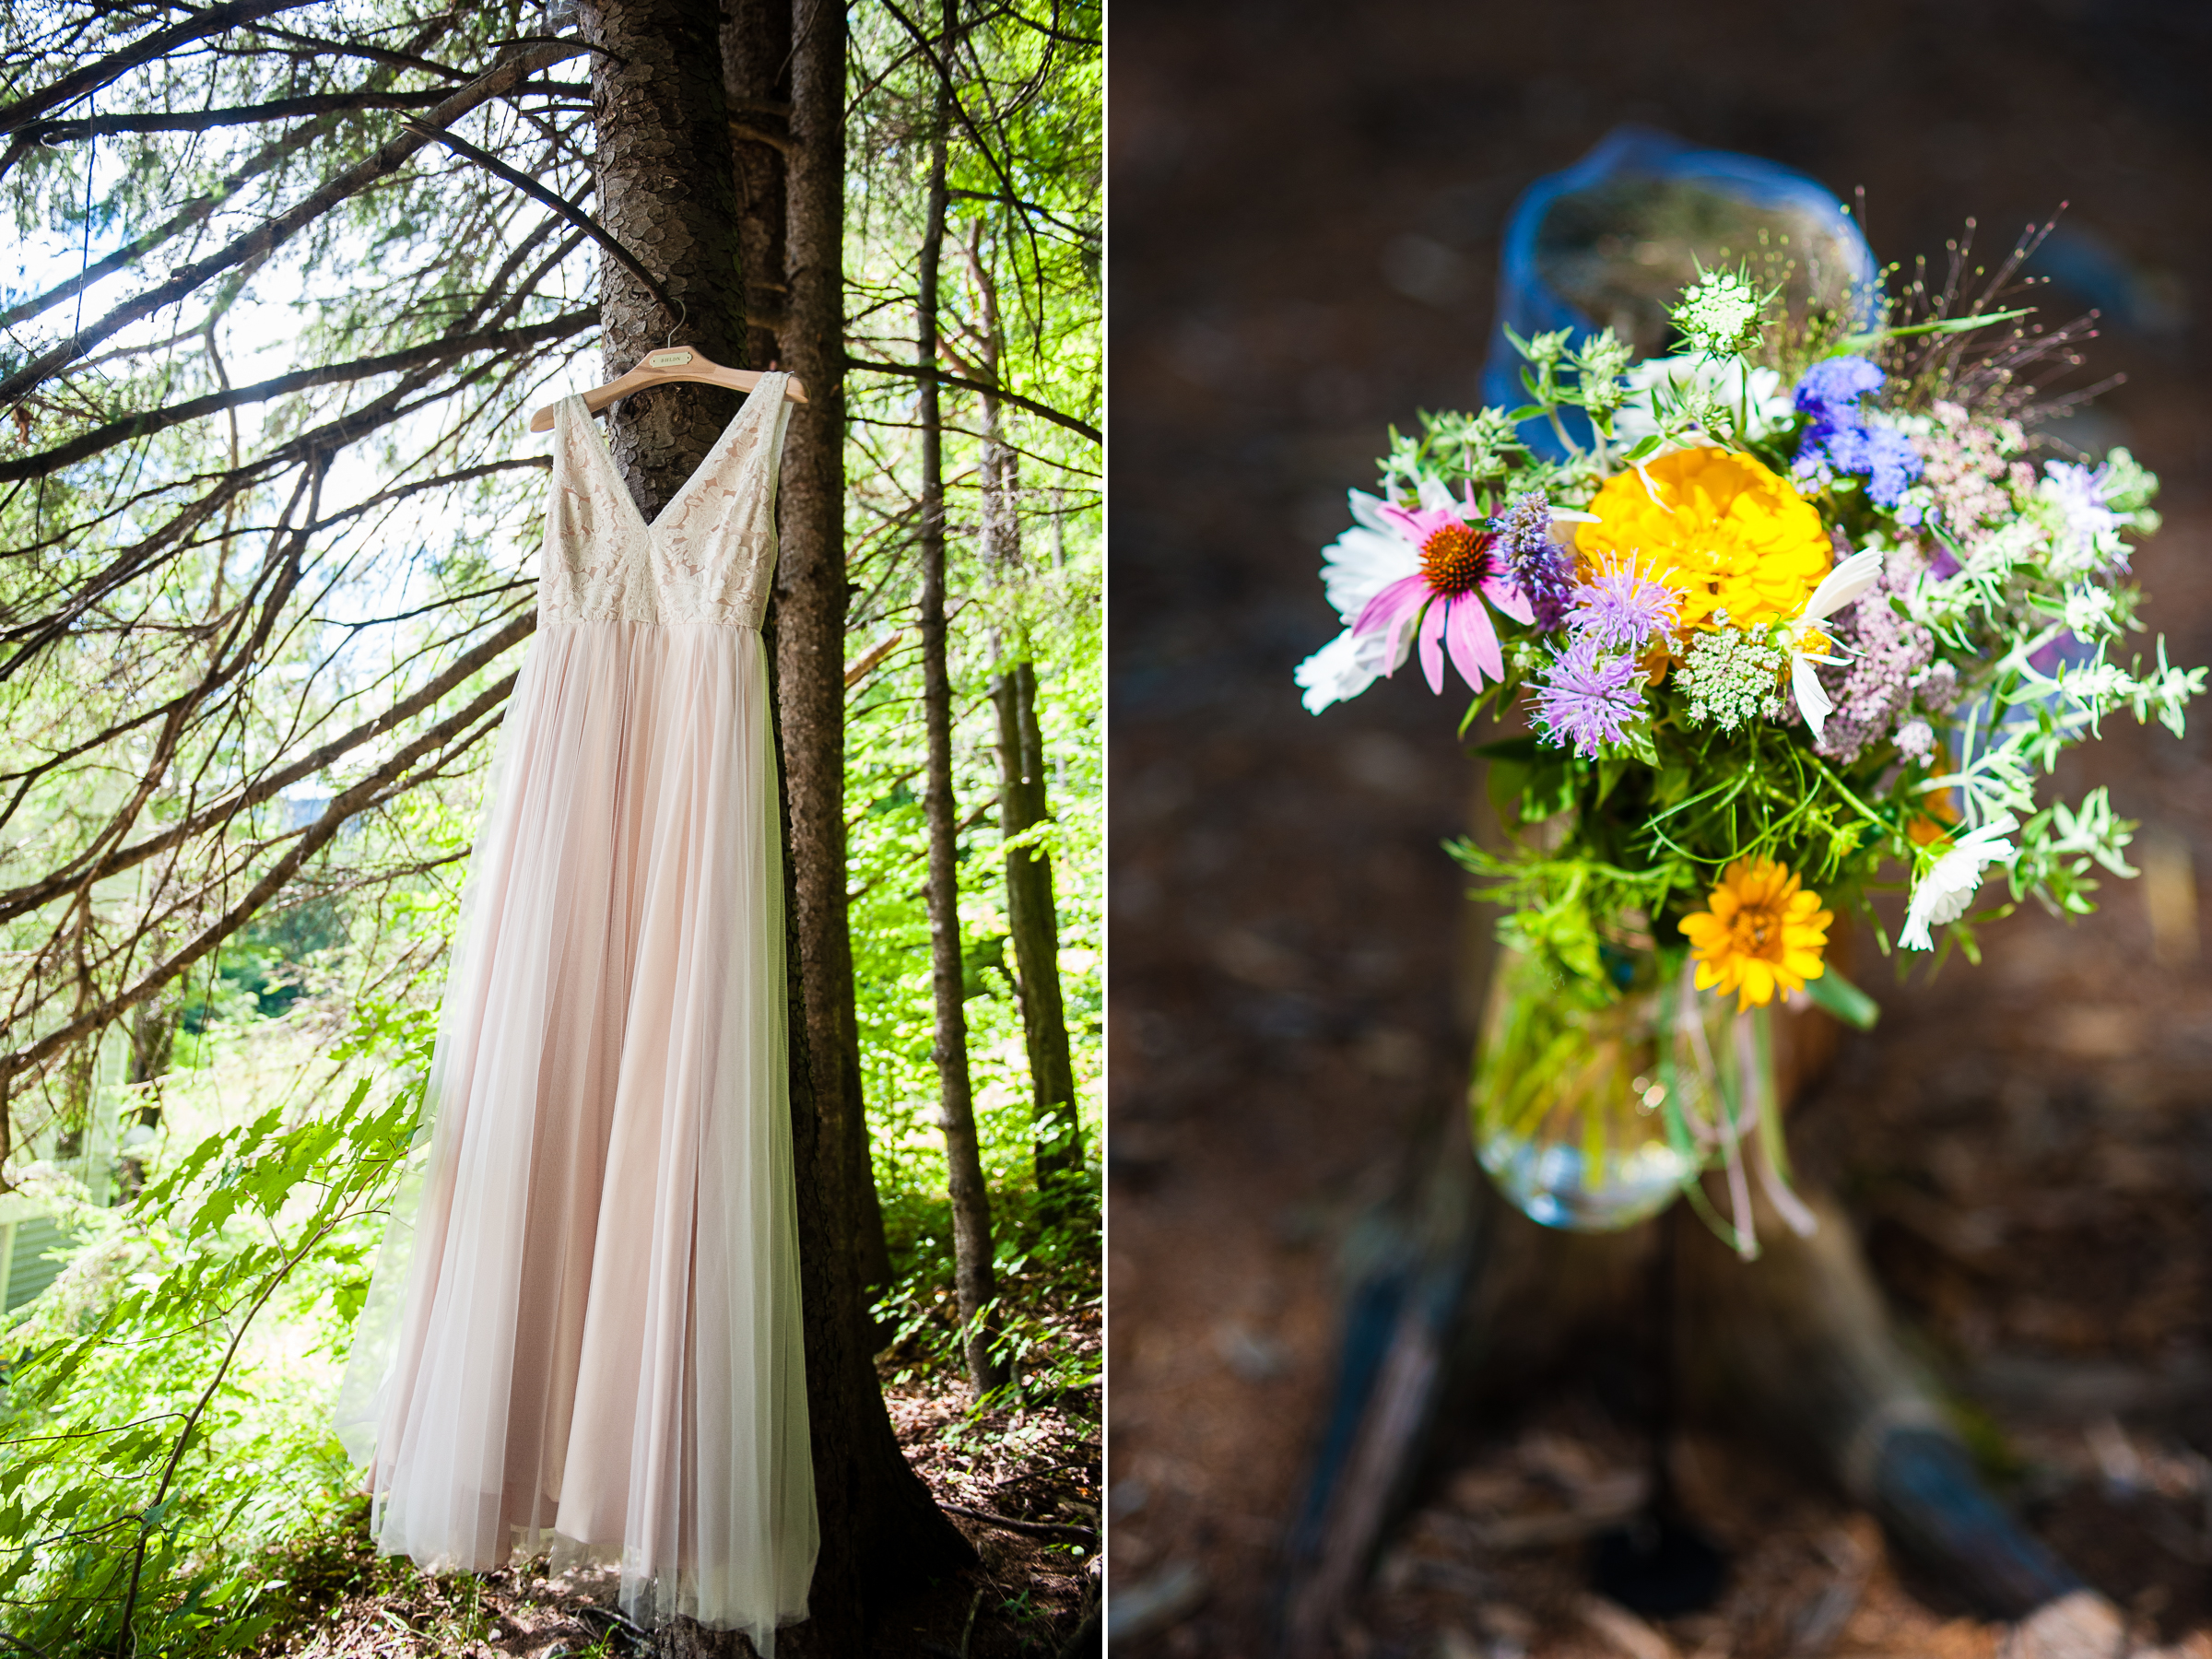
583, 1333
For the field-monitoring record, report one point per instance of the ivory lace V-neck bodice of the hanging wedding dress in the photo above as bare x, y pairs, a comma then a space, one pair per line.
707, 559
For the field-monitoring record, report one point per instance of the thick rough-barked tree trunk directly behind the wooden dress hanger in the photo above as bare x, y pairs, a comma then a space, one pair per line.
667, 194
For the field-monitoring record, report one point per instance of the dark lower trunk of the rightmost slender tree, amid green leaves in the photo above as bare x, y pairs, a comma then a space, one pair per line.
1034, 924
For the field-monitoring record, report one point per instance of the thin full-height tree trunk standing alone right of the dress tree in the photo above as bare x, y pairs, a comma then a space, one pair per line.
963, 1158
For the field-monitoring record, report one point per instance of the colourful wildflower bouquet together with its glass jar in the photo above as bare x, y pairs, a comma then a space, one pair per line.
1784, 618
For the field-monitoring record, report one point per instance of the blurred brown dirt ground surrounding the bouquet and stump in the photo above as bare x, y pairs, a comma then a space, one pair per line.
1306, 216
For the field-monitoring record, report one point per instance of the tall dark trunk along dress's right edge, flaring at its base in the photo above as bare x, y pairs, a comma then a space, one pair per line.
879, 1525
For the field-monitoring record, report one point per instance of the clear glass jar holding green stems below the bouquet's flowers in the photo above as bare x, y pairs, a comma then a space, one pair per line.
1596, 1107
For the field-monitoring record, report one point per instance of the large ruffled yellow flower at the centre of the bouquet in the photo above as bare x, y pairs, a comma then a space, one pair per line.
1724, 532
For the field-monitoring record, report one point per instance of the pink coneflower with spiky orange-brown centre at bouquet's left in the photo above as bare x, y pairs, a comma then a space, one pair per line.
1461, 567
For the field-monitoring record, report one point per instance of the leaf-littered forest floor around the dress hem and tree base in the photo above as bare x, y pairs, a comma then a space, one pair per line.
1025, 1600
